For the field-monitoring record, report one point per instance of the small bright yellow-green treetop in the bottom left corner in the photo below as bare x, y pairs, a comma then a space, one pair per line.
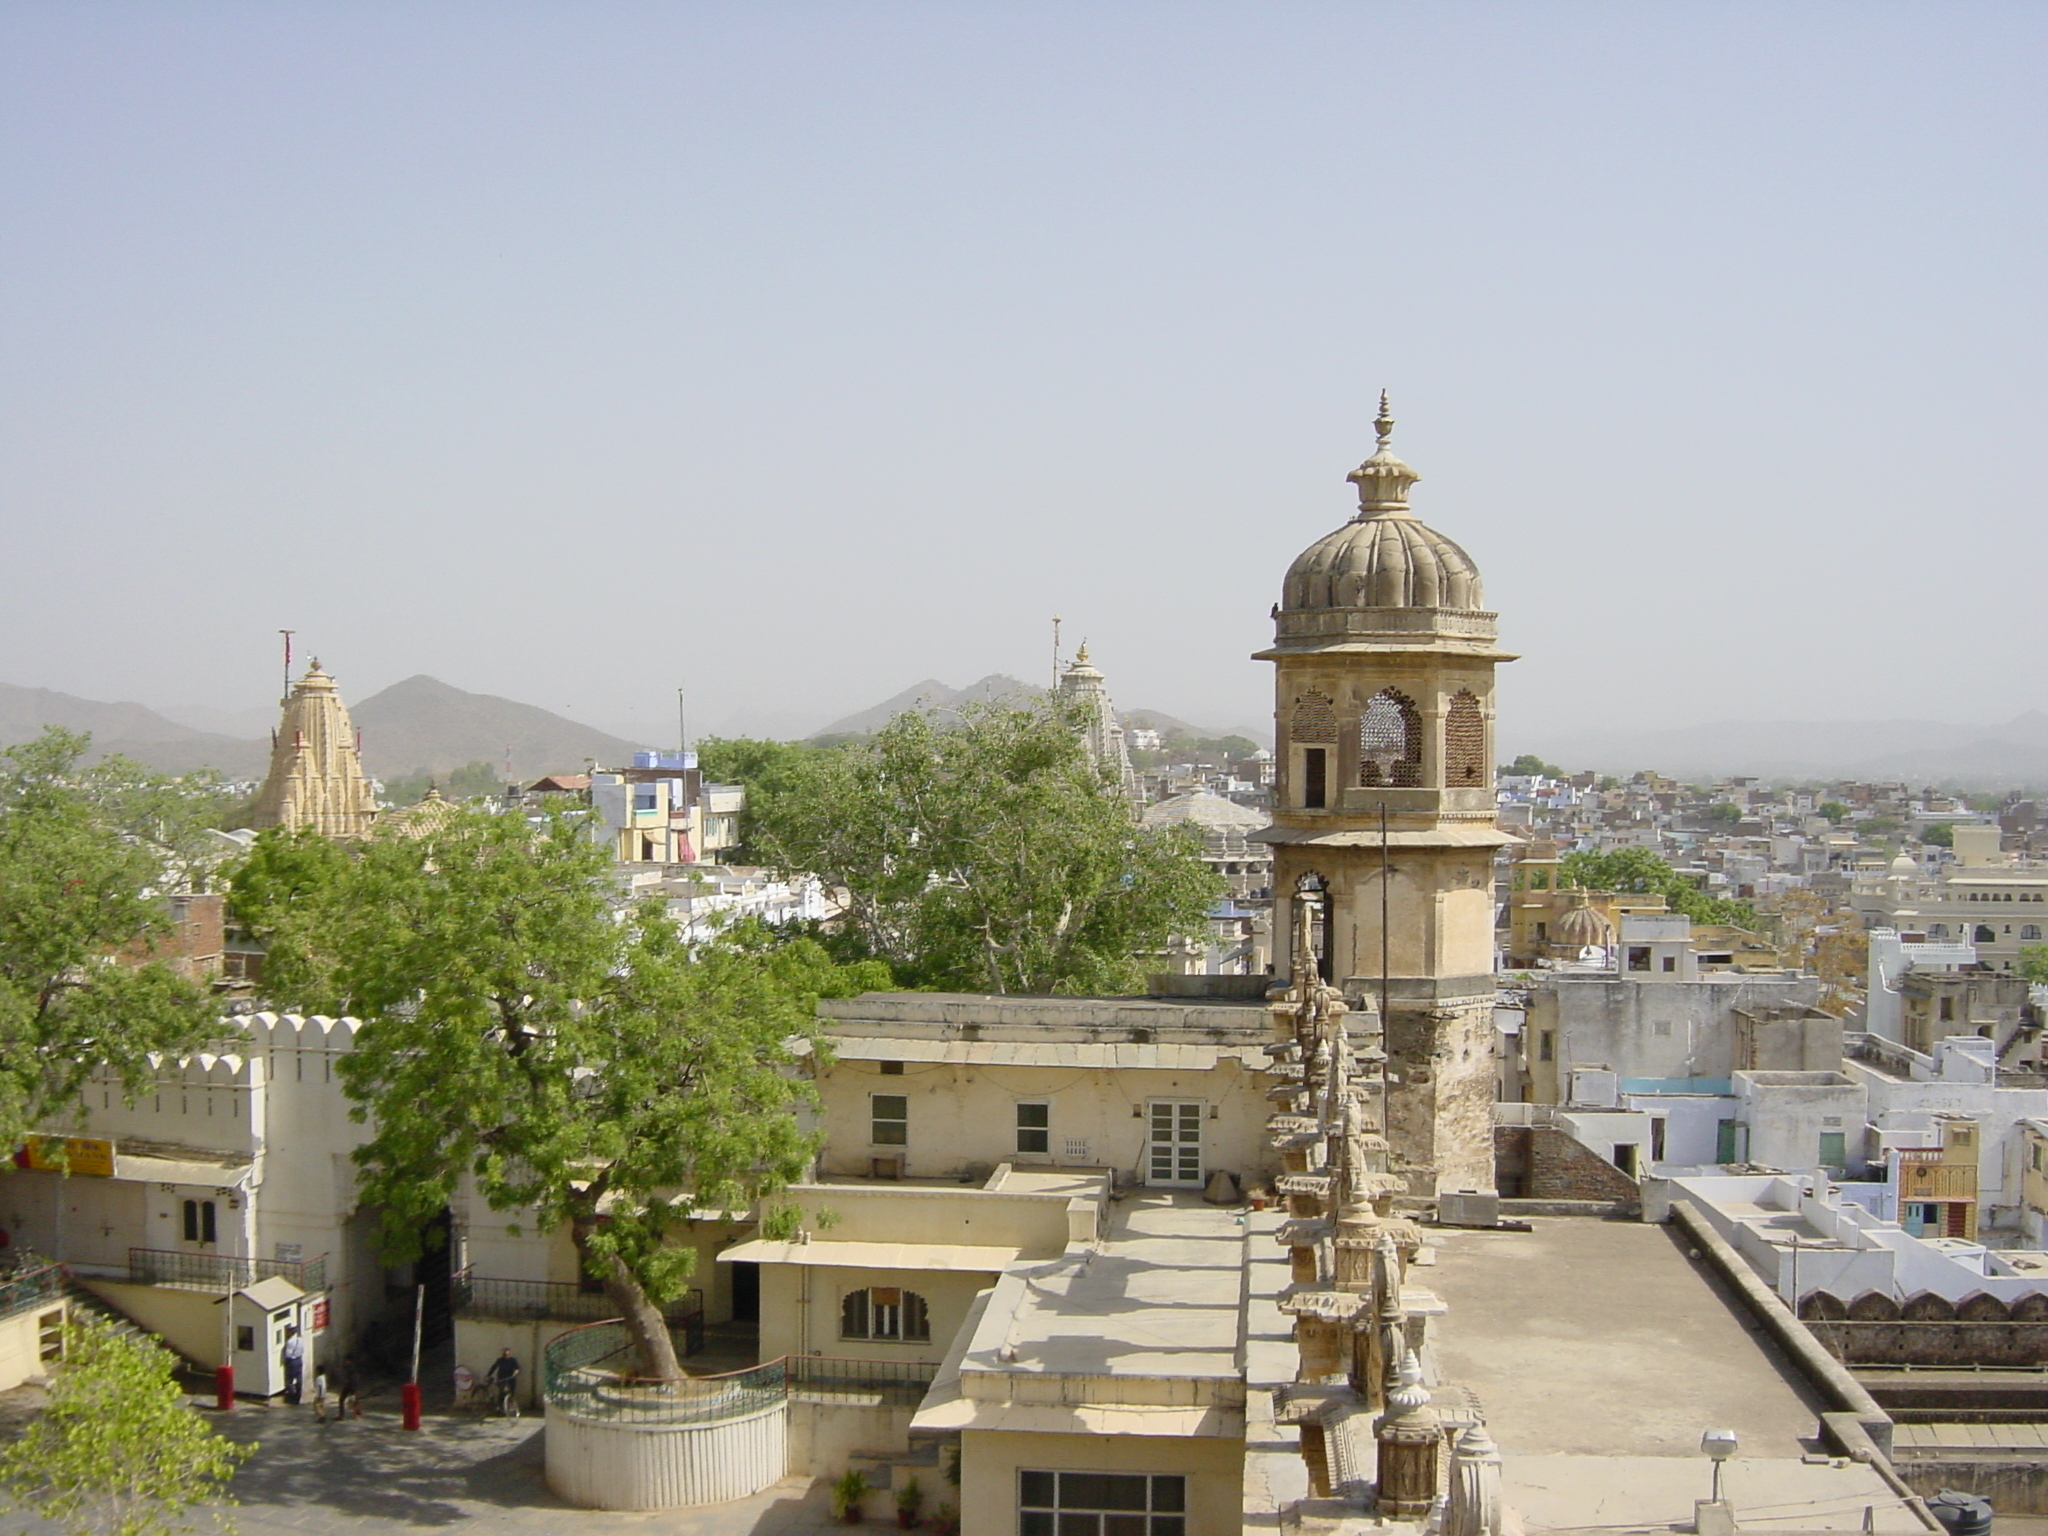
118, 1453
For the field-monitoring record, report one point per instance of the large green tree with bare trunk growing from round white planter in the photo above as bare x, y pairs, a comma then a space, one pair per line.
566, 1058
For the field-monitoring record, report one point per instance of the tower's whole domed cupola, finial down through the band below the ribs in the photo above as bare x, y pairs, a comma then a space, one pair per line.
1385, 570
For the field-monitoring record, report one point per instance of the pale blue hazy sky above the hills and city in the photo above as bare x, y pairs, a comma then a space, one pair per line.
802, 351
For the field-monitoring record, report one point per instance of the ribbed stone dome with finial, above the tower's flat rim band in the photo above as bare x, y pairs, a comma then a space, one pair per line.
1385, 558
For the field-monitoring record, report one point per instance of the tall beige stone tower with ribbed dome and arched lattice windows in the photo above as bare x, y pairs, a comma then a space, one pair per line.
1385, 722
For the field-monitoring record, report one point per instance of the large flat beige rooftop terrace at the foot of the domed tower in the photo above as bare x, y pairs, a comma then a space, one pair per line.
1601, 1353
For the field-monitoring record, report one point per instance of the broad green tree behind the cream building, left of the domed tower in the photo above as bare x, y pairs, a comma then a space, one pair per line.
990, 855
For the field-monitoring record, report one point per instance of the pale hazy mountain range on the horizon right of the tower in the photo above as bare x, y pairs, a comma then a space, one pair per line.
1912, 751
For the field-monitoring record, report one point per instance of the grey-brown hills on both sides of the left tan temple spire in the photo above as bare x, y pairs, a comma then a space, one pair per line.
411, 728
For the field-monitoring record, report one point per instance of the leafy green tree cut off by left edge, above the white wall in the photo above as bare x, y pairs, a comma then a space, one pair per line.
79, 888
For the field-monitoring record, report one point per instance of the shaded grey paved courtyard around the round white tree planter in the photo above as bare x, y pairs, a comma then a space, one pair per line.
470, 1476
